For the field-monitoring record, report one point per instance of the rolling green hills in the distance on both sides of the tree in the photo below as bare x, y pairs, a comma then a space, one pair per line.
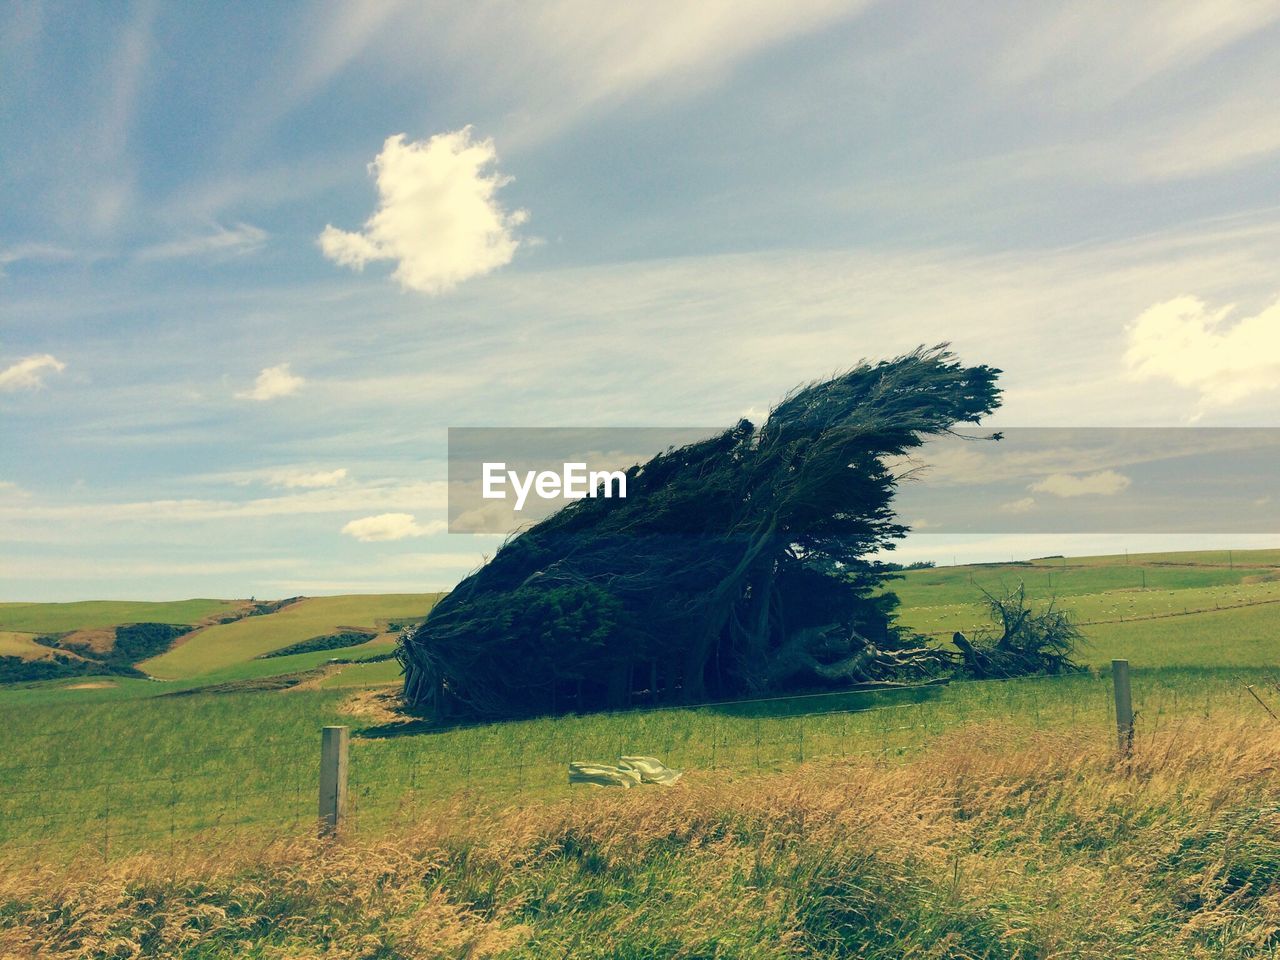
1197, 609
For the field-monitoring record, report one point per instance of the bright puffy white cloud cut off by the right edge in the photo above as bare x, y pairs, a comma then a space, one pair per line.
1185, 342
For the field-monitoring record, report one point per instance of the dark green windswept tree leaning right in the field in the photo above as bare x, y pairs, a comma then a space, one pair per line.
734, 566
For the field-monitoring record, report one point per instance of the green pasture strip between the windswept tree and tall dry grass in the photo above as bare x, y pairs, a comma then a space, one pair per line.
107, 776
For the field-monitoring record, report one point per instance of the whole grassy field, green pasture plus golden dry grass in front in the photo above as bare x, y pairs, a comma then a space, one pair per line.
1037, 844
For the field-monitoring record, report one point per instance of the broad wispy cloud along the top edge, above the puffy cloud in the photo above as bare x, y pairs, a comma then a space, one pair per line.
543, 66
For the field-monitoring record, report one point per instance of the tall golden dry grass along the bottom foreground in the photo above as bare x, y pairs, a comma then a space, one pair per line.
989, 845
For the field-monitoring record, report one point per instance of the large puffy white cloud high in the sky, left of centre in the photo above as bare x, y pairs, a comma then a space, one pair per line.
438, 214
